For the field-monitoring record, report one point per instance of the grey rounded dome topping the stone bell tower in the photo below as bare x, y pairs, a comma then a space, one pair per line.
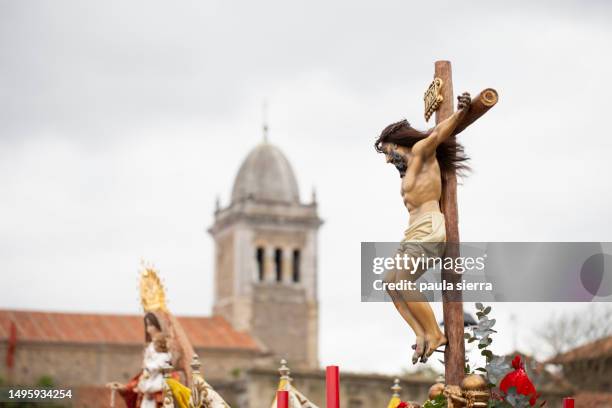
266, 175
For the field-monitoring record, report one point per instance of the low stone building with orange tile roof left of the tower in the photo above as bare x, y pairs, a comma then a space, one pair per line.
76, 349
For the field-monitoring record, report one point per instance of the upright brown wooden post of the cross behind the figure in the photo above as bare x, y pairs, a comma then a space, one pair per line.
454, 353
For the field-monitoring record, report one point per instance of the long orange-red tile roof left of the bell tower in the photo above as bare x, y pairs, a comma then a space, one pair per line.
203, 332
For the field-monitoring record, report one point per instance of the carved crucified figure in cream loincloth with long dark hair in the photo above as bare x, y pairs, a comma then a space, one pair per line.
420, 157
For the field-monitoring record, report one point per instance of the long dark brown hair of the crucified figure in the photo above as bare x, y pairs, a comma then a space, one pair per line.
450, 154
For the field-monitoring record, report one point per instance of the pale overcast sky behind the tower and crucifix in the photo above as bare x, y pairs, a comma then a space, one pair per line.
120, 122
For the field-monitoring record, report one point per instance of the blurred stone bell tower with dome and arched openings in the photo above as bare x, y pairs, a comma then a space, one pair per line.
266, 258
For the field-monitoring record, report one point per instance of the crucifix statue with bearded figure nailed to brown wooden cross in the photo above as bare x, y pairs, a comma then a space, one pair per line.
428, 163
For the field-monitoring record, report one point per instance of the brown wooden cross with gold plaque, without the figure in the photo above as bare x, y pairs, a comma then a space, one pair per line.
439, 98
